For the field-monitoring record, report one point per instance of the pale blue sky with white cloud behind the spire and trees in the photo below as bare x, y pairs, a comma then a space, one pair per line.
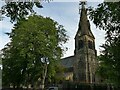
65, 13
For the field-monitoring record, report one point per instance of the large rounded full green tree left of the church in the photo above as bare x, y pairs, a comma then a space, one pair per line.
34, 50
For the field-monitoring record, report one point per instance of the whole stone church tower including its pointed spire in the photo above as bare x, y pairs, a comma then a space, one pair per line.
85, 53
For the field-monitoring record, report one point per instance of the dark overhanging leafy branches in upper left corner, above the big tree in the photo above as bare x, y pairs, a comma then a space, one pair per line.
17, 10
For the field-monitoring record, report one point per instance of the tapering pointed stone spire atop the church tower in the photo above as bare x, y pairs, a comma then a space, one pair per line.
84, 25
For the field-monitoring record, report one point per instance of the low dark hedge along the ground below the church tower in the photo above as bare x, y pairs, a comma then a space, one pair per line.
83, 86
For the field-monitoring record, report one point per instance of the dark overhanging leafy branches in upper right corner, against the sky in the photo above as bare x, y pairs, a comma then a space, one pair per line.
107, 17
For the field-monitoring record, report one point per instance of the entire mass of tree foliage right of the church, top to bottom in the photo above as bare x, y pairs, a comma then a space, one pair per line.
106, 16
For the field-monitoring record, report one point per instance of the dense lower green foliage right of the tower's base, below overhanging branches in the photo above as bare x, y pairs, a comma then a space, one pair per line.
110, 63
